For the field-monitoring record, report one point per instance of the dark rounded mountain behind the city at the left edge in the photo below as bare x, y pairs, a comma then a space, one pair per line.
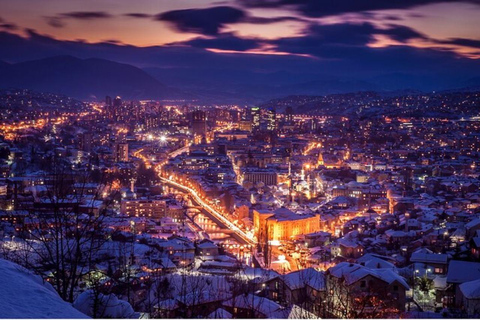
84, 79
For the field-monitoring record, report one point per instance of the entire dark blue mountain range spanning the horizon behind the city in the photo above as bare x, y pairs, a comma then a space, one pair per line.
93, 79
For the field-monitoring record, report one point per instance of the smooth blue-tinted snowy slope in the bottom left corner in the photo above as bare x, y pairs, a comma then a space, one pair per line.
25, 295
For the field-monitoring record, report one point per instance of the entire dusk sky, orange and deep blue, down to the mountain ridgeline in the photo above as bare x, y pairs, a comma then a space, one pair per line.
346, 36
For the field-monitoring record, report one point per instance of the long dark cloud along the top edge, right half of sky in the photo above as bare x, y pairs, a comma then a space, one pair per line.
320, 8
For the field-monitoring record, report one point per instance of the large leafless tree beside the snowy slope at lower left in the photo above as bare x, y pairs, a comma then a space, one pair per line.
64, 230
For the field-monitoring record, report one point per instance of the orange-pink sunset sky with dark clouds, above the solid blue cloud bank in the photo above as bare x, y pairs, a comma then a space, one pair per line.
253, 26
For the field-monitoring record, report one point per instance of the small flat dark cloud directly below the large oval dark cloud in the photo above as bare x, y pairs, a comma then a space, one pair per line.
224, 41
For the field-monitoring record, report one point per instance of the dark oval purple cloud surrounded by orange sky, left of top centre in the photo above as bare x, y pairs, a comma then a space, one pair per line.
205, 21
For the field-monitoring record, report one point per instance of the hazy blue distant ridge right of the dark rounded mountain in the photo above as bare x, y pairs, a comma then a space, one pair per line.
244, 86
